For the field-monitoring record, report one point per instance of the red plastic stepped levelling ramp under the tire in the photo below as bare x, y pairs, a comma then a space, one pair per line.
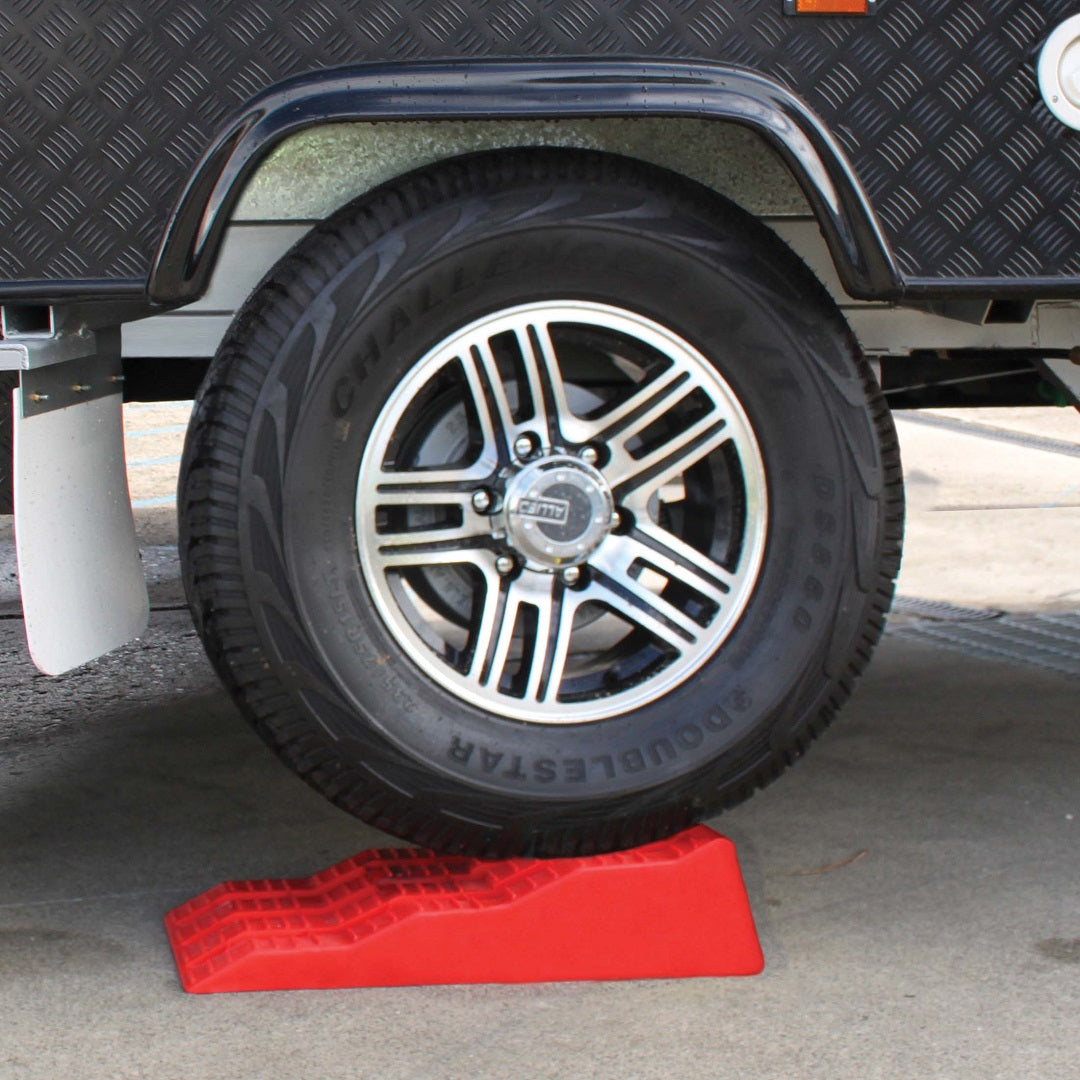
670, 910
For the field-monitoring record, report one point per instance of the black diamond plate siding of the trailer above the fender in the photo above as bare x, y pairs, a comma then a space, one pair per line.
105, 105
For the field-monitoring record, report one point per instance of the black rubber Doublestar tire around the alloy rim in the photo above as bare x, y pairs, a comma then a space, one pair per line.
267, 533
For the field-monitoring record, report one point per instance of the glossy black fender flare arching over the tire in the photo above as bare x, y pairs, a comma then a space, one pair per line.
524, 90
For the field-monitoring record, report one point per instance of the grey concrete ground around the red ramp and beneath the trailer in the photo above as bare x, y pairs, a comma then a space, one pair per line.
916, 881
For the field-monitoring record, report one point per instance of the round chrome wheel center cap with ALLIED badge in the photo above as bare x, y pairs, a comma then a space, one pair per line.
558, 512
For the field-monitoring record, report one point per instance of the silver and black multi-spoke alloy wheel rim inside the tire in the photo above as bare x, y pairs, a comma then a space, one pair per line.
530, 512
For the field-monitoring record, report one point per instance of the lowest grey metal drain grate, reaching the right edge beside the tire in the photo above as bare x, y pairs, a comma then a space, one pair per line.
1051, 642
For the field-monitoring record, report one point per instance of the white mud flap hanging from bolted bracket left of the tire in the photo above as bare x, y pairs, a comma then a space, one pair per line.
83, 583
